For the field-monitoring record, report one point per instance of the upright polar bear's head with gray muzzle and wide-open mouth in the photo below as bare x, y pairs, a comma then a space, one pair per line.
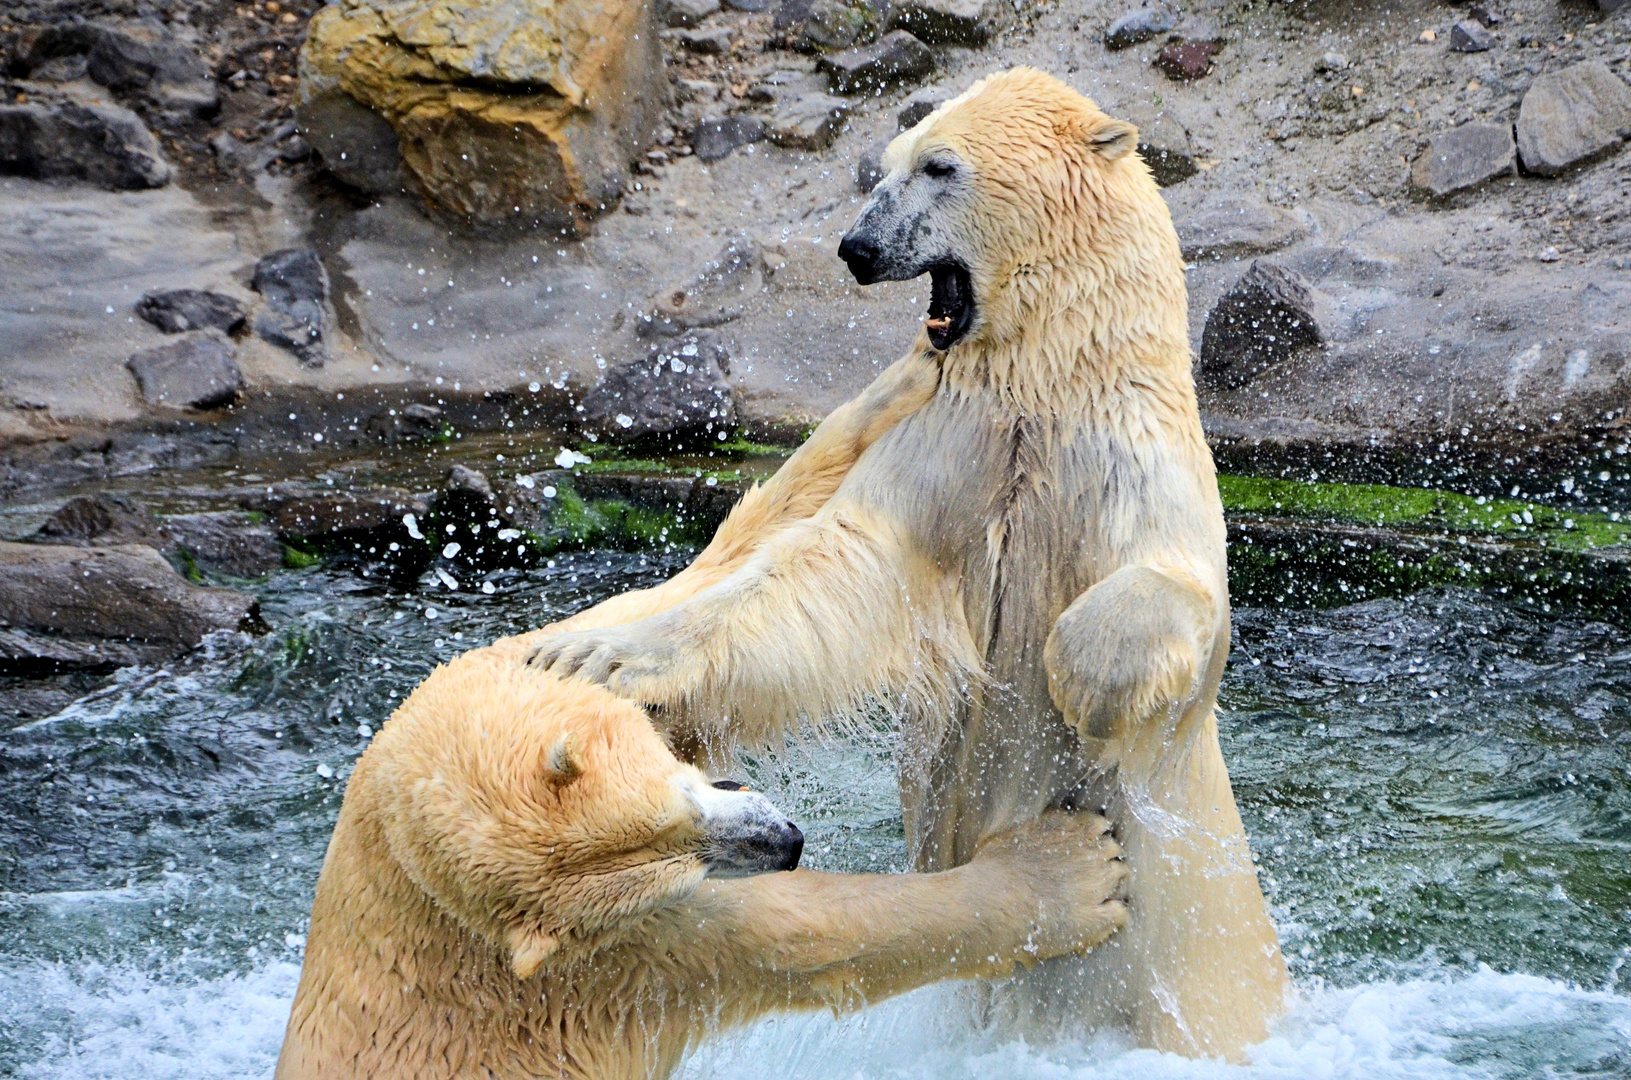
1001, 193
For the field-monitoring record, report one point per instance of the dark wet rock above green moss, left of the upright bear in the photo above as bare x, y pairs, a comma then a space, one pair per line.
676, 396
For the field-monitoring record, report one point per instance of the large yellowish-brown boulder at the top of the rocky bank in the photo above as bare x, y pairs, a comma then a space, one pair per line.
506, 113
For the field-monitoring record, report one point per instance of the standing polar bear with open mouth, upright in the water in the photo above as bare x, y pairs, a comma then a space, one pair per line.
1032, 565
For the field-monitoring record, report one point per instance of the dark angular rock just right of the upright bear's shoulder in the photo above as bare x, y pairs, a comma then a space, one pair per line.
1268, 317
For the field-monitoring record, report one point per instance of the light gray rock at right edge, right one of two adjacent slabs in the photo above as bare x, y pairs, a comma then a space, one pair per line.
1571, 117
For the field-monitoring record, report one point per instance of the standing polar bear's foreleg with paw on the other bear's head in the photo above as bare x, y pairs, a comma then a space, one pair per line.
826, 616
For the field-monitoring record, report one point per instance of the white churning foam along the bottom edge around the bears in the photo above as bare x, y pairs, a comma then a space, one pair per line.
120, 1024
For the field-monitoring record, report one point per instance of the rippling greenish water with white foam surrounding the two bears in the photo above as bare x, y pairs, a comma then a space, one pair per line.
1439, 792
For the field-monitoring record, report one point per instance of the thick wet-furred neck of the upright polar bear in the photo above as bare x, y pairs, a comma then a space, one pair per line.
1087, 327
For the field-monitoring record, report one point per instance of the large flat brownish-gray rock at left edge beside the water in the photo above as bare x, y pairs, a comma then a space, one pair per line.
120, 593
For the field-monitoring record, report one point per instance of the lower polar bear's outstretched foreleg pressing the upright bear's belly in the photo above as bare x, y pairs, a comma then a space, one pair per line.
815, 941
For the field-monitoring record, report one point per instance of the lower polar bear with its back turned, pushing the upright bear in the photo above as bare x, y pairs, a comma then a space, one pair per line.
524, 882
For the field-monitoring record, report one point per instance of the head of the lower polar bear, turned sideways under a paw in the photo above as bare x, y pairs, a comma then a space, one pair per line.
544, 813
